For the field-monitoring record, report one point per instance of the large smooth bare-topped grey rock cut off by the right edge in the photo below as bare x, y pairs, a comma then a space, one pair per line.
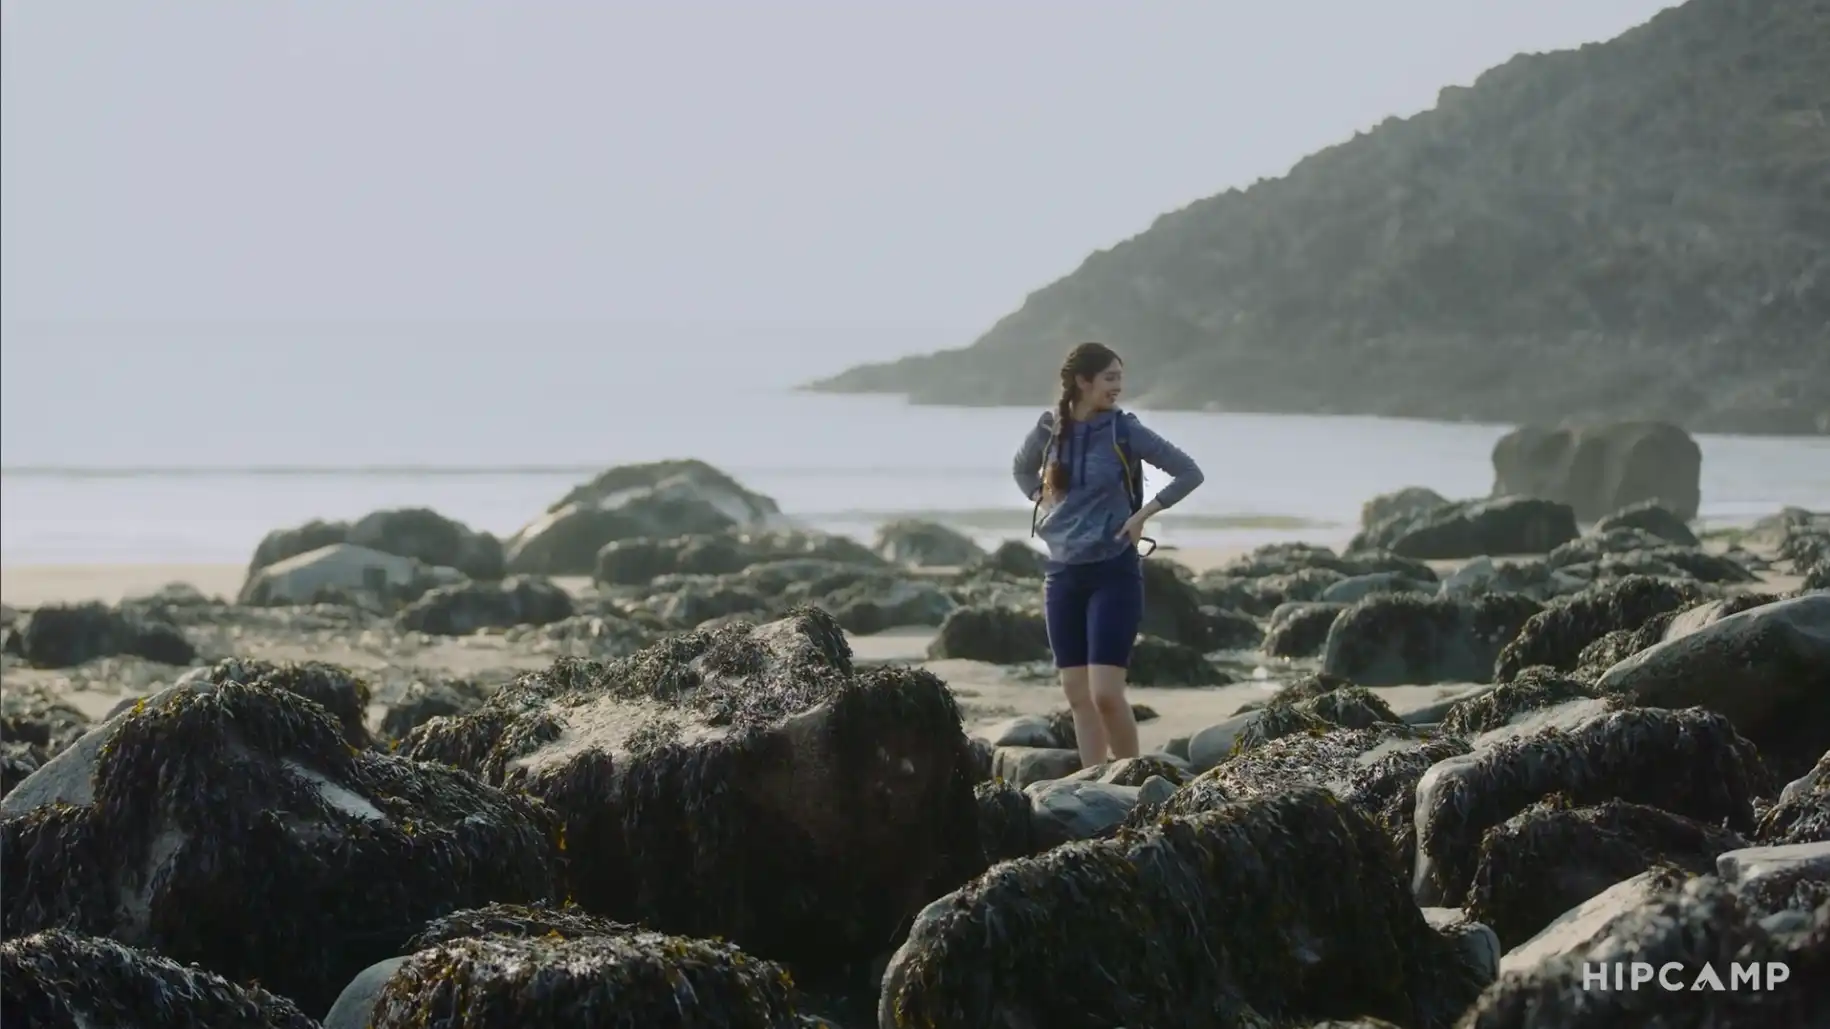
1767, 669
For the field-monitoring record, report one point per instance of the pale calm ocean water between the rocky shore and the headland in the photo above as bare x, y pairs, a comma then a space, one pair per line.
189, 457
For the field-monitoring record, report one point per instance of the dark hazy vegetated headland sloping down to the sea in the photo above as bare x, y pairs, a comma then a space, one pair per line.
1630, 230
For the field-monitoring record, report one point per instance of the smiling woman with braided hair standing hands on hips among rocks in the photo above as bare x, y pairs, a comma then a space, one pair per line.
1082, 466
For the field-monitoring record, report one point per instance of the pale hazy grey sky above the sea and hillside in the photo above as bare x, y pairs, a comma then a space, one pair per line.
912, 164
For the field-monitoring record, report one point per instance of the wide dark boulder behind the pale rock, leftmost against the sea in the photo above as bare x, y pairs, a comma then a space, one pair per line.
407, 532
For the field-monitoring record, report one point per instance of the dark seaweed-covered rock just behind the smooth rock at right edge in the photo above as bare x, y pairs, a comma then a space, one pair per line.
1558, 634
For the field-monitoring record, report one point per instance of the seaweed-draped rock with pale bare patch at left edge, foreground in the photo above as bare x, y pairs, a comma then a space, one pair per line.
235, 827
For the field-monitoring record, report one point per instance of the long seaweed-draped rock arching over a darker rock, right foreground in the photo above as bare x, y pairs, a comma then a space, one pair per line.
1690, 763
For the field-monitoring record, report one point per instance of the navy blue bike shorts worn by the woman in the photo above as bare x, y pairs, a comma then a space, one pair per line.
1095, 611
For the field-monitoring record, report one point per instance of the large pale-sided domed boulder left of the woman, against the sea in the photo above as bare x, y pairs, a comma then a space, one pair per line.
654, 501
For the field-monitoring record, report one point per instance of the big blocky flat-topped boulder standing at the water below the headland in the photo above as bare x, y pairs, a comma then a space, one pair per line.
1599, 470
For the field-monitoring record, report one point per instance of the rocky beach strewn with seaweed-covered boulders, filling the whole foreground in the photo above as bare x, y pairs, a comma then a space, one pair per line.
663, 759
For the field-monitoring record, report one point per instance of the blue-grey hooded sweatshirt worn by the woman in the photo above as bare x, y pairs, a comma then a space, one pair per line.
1084, 526
